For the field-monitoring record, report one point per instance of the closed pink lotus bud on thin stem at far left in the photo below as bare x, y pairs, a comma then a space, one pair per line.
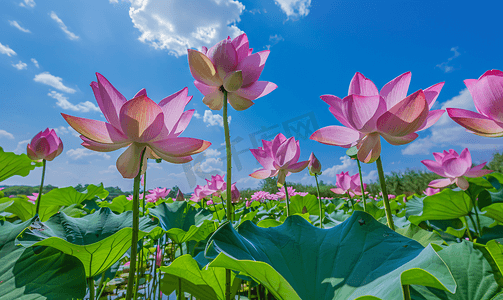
45, 145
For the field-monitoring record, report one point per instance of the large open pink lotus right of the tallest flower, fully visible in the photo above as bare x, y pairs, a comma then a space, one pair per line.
368, 114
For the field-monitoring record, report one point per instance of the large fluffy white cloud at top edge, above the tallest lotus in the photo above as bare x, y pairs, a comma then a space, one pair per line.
179, 25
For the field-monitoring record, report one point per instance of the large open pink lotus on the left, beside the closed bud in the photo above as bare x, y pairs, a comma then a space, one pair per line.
139, 123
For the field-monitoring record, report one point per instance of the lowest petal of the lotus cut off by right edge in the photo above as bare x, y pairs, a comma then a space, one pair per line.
477, 123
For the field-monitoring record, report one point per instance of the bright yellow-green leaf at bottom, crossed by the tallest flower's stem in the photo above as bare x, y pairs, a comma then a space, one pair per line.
204, 284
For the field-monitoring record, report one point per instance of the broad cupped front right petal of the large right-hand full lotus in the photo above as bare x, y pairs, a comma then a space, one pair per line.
405, 117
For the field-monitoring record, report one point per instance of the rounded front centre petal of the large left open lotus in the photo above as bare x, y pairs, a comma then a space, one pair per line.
141, 119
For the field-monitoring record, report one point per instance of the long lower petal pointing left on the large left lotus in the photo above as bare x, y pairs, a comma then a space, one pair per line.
97, 131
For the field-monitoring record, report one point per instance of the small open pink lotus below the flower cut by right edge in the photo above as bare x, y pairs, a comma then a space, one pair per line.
454, 166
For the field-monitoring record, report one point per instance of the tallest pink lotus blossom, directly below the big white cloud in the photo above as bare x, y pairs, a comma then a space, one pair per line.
229, 65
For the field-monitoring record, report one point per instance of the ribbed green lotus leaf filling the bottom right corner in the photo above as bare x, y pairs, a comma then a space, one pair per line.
473, 274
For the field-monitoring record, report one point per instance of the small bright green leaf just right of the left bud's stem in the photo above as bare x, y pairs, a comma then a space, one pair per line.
69, 195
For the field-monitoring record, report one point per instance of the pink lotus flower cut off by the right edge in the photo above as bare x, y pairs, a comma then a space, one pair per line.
487, 94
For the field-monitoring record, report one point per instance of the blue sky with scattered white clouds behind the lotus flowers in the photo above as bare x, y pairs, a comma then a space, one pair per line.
50, 51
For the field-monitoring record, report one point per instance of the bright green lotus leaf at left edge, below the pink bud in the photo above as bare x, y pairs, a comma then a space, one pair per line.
13, 164
